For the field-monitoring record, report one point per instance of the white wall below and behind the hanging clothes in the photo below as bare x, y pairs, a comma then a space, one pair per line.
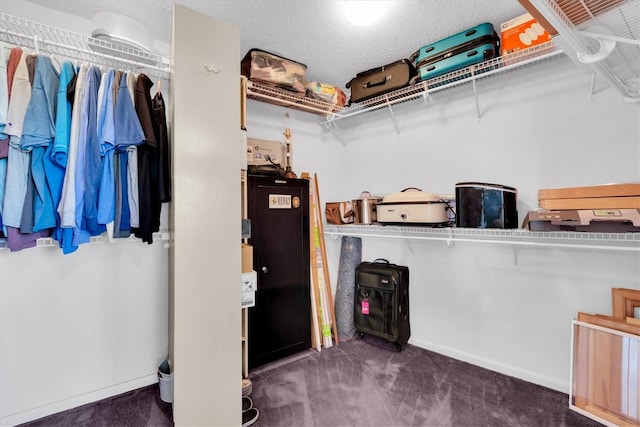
81, 327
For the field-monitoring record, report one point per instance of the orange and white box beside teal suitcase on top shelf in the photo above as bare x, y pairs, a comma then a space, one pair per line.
521, 32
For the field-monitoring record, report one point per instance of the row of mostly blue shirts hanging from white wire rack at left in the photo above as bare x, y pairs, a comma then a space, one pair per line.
69, 159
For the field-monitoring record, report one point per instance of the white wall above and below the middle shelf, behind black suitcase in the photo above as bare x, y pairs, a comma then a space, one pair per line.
490, 305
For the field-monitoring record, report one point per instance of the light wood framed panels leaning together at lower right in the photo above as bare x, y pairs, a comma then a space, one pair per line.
606, 367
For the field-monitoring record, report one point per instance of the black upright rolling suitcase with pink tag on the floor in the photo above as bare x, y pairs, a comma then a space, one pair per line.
381, 305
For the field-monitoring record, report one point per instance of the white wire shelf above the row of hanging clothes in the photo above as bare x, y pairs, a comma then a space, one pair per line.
72, 46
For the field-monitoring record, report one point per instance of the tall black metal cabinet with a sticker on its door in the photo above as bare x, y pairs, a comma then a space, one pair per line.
280, 322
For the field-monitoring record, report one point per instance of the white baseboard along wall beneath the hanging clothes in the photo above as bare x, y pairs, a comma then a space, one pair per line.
74, 402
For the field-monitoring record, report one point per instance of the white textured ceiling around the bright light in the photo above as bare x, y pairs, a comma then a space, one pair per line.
316, 33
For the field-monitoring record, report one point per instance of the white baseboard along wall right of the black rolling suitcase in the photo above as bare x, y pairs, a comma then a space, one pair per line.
492, 365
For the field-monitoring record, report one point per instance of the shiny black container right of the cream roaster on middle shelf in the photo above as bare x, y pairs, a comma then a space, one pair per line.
482, 205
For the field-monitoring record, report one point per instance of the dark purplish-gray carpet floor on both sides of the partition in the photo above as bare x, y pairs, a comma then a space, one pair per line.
361, 382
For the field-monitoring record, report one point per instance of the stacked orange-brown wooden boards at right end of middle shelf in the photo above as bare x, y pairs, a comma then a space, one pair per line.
609, 196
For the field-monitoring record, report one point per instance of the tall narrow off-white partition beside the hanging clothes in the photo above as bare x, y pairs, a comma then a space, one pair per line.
205, 260
